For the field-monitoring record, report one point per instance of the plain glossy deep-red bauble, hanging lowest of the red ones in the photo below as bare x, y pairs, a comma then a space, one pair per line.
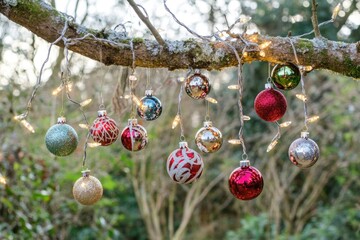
246, 182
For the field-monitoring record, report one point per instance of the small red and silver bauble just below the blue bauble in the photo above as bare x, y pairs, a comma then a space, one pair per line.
134, 136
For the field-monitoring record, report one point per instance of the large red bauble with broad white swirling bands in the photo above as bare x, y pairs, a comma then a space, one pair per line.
184, 165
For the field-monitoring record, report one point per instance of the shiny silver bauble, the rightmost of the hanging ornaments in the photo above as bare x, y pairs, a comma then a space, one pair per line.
304, 152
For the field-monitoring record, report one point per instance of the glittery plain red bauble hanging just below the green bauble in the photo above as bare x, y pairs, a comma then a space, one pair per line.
270, 104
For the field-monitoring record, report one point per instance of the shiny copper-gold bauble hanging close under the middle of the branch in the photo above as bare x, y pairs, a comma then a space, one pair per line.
197, 86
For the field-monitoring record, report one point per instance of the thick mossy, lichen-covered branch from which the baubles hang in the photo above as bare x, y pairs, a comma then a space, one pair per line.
46, 22
